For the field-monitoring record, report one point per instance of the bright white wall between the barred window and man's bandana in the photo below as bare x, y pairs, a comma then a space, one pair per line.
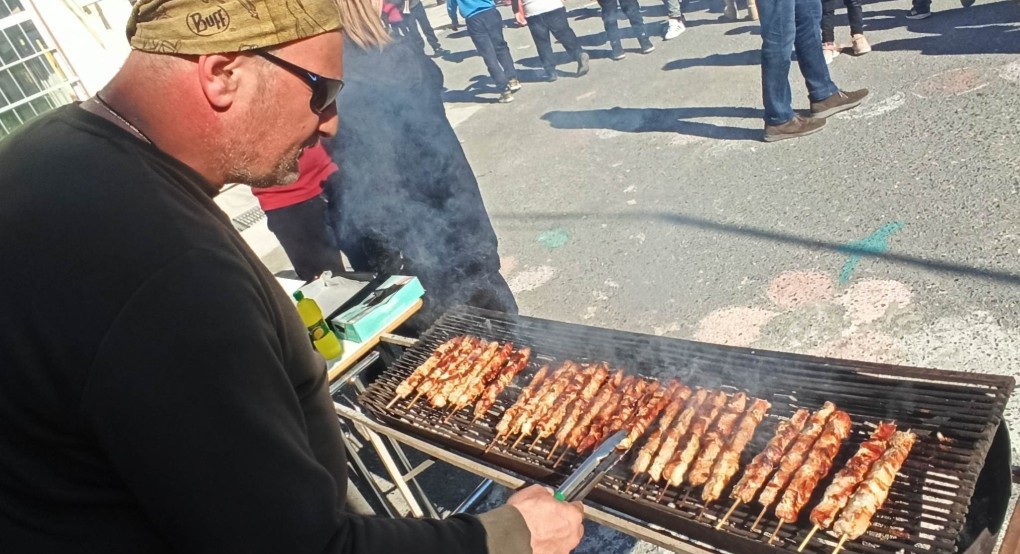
90, 34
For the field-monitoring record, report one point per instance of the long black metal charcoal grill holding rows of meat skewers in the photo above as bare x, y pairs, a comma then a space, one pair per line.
963, 446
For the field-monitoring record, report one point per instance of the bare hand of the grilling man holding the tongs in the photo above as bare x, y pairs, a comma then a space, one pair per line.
556, 527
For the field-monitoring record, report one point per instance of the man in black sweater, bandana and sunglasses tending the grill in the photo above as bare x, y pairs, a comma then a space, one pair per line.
158, 391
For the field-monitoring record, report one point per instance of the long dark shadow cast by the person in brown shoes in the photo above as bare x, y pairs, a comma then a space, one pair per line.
662, 121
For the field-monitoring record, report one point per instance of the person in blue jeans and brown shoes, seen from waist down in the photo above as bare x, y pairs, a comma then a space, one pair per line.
788, 25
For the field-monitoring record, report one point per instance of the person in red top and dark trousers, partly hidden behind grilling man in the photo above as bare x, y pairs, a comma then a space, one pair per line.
297, 216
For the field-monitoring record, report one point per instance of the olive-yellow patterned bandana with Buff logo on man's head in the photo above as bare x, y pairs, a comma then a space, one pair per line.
216, 27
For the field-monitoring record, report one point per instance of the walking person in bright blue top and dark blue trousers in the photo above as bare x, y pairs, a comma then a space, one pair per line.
486, 29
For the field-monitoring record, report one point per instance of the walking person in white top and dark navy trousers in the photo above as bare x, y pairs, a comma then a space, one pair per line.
543, 18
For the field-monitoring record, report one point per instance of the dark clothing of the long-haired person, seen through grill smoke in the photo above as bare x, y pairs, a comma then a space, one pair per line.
405, 198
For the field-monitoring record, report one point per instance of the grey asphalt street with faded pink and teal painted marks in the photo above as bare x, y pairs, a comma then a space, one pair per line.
641, 196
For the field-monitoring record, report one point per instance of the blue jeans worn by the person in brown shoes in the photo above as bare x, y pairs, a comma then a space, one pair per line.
788, 25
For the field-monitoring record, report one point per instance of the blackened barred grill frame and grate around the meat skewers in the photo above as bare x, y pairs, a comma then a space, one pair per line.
712, 366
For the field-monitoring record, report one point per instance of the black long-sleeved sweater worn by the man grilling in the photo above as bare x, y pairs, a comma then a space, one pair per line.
158, 390
